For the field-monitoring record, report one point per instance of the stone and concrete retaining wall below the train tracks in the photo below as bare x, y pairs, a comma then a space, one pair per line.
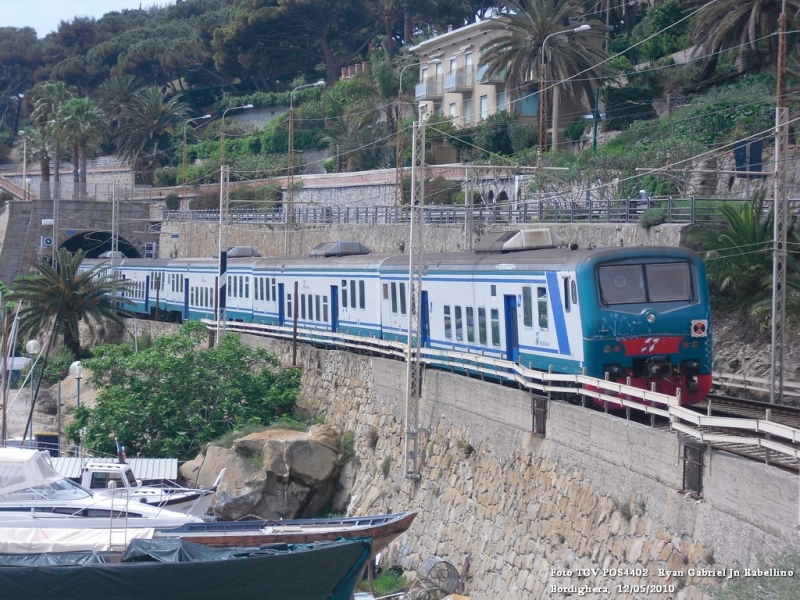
597, 492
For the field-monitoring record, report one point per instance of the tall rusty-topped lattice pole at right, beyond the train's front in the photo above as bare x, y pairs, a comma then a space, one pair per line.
779, 255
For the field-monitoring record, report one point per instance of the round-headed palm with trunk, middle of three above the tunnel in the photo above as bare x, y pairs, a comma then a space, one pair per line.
83, 124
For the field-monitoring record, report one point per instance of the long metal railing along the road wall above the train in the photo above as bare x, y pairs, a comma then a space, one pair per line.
627, 210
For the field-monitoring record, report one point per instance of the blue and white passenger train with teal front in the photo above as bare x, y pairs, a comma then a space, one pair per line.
636, 315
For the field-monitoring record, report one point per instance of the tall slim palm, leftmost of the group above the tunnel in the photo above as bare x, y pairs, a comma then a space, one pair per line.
49, 99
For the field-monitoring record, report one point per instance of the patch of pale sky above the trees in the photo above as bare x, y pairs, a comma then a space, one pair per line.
45, 15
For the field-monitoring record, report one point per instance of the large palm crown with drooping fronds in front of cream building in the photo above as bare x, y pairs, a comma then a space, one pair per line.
517, 51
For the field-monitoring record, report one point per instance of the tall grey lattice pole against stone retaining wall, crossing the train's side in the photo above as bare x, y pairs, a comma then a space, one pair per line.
415, 247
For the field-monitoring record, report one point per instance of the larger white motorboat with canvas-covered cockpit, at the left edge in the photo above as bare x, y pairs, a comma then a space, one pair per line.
33, 494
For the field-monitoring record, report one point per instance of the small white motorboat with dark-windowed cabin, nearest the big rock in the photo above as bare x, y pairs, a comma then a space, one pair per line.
117, 479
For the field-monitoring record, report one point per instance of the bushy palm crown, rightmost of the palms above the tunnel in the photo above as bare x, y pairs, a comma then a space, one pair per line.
145, 127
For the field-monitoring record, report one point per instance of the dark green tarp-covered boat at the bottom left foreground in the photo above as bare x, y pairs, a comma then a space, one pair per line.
321, 571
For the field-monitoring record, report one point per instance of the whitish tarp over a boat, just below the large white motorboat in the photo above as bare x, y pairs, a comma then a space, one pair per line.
30, 540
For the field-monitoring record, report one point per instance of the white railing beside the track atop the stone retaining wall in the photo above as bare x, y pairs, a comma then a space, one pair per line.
757, 430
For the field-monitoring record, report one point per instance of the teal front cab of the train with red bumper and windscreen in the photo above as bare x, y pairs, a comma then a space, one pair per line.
650, 324
